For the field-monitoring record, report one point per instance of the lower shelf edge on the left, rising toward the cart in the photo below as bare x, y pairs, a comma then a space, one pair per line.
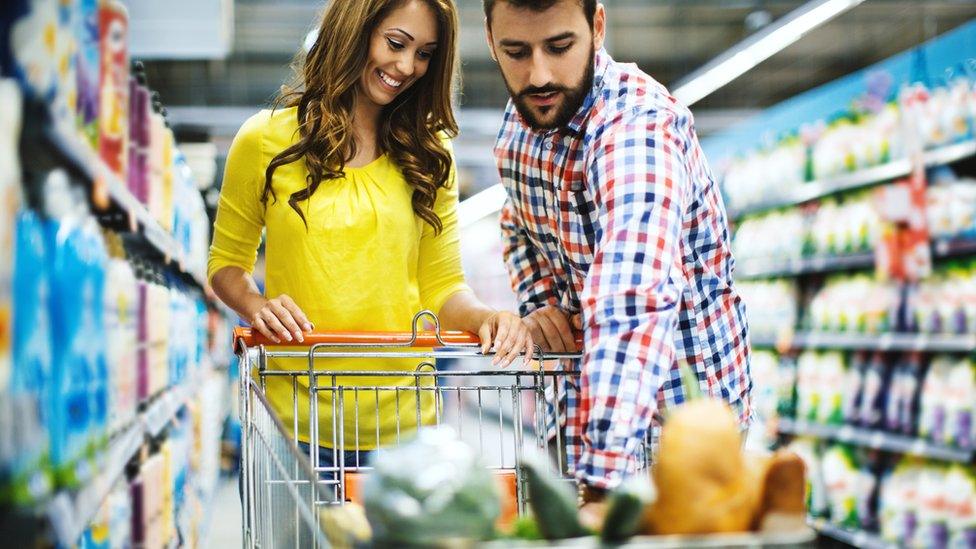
70, 513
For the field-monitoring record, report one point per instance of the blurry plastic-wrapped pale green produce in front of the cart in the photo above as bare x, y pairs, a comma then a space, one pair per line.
429, 491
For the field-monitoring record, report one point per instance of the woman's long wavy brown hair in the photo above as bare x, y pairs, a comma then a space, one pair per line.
412, 126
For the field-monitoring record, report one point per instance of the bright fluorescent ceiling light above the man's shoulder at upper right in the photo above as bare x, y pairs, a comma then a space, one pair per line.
757, 48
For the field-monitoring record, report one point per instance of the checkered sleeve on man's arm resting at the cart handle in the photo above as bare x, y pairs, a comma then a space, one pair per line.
528, 268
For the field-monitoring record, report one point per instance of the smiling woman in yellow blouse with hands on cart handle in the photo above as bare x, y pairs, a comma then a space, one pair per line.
355, 186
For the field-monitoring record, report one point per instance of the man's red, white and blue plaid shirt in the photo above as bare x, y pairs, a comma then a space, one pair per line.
617, 216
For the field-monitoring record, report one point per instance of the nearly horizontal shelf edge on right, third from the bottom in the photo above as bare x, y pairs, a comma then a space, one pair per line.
934, 343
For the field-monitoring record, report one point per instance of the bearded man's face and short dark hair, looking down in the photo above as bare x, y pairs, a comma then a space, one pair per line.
546, 58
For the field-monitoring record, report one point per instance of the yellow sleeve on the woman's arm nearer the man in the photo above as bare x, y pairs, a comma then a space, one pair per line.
440, 274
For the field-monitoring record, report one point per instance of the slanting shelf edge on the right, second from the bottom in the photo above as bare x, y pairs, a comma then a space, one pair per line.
878, 440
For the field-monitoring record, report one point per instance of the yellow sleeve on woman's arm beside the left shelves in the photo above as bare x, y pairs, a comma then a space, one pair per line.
240, 213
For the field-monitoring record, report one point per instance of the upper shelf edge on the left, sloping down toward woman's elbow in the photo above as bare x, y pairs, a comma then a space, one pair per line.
84, 158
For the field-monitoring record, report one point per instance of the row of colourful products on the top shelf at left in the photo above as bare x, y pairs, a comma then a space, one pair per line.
74, 57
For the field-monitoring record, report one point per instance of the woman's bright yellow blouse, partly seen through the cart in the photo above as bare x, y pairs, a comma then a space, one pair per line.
365, 263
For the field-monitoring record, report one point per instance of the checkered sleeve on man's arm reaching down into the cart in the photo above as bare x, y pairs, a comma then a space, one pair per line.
631, 296
